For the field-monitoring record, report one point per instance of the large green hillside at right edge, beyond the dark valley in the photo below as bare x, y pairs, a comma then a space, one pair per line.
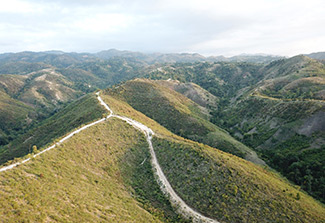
283, 119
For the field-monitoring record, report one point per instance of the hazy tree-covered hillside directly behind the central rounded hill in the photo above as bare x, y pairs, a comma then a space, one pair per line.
222, 79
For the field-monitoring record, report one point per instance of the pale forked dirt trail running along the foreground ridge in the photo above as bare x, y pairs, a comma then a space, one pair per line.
177, 202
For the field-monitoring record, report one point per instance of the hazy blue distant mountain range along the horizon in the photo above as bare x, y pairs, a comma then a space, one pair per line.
64, 59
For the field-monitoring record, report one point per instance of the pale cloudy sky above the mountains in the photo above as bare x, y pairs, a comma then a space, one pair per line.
208, 27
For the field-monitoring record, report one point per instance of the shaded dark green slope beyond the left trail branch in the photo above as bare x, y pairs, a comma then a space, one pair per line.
84, 110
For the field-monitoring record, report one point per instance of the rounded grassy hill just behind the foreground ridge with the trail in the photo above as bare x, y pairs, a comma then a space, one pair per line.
178, 114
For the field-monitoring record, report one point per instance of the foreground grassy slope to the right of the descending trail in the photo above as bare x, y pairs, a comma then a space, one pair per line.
224, 186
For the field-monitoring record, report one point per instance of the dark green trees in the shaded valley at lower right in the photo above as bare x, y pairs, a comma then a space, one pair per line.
300, 164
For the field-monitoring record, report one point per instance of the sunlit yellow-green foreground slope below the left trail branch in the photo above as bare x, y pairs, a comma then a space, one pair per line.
80, 181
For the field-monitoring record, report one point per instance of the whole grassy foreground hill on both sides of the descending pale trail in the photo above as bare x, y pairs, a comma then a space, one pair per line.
49, 186
